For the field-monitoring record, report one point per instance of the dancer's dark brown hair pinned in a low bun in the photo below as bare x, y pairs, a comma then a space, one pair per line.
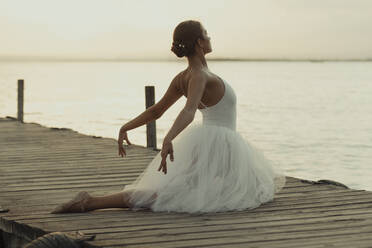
185, 36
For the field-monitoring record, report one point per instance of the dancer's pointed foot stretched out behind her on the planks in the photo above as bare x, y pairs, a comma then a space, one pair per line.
77, 205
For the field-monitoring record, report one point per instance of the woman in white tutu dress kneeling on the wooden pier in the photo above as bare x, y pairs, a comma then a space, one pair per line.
211, 167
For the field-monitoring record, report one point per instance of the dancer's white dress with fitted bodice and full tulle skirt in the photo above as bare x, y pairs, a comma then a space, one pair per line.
214, 169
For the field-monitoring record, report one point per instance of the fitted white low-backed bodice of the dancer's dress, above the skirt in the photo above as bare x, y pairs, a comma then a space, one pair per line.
222, 113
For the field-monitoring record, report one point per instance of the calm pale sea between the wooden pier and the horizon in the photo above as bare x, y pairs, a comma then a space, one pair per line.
314, 120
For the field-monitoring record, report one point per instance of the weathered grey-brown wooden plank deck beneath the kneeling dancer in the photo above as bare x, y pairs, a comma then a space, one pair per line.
42, 167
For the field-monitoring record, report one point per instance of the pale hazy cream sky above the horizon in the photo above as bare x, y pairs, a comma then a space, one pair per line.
252, 29
